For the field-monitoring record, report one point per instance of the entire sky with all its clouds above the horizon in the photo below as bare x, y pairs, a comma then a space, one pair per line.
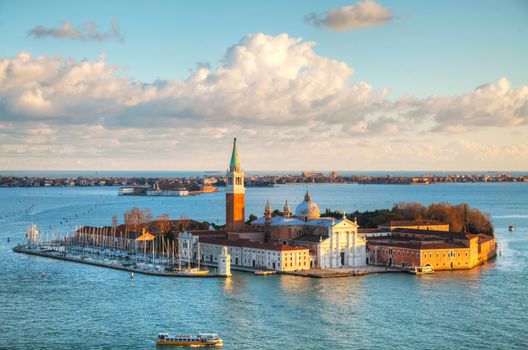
303, 85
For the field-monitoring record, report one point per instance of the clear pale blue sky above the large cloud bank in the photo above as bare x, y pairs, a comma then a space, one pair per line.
442, 47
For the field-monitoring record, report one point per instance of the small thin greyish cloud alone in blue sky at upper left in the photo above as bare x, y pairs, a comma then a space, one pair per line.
87, 32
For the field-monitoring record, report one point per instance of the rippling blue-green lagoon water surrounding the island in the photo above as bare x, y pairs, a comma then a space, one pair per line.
90, 307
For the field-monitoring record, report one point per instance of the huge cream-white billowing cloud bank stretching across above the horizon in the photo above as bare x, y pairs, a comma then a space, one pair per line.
276, 93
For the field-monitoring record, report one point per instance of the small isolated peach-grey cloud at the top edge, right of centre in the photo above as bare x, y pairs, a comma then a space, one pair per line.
364, 14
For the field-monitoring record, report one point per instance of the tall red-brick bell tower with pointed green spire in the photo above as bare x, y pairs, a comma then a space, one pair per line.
235, 203
